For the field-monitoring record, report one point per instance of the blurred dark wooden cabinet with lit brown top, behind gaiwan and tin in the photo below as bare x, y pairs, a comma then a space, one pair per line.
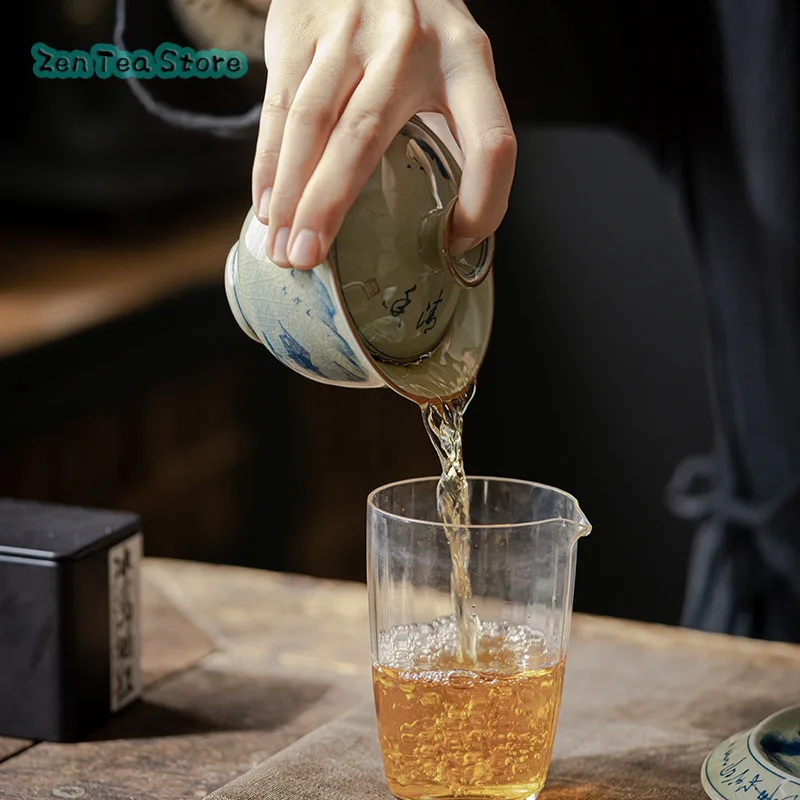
126, 383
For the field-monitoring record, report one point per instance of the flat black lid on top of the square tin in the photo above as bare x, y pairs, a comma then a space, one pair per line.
53, 532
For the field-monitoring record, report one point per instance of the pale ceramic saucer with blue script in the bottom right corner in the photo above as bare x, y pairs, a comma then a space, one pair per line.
762, 763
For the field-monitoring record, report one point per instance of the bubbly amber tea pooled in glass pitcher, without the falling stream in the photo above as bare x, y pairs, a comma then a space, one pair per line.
482, 732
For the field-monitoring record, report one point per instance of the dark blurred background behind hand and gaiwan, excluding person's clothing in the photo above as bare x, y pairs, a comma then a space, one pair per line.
126, 383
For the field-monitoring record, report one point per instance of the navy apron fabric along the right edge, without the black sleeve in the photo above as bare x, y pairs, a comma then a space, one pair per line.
741, 191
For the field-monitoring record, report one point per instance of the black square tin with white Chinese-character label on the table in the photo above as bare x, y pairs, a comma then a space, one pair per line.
69, 618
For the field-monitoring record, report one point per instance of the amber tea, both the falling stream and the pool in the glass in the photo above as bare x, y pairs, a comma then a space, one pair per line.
466, 707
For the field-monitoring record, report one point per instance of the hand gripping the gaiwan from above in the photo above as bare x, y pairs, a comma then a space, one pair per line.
343, 76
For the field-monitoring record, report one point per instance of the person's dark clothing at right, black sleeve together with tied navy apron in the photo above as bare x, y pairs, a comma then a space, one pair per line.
710, 89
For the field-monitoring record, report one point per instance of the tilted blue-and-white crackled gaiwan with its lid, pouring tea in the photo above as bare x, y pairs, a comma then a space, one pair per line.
389, 306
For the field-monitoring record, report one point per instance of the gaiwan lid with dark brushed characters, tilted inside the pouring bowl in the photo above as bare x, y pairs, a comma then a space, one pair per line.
400, 283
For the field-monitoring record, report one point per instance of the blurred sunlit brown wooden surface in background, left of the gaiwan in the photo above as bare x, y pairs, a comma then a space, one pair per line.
70, 284
